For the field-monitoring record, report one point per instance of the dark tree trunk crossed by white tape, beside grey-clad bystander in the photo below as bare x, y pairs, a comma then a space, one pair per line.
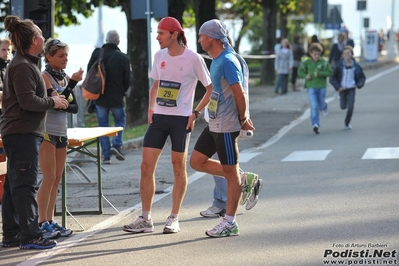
268, 40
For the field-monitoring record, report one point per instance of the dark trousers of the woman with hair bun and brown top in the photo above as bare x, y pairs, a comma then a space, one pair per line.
19, 206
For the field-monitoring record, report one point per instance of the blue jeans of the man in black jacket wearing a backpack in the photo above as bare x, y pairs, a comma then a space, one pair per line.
103, 121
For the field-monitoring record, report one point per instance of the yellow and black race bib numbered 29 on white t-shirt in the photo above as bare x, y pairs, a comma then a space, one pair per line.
168, 92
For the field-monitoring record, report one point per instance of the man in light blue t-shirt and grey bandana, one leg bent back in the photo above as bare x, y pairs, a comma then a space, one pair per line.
228, 114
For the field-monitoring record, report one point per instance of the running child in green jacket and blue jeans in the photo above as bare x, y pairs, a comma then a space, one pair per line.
315, 71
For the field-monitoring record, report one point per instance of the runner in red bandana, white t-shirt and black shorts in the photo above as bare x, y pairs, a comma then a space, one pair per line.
175, 72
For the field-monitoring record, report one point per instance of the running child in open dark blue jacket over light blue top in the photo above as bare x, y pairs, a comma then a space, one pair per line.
346, 77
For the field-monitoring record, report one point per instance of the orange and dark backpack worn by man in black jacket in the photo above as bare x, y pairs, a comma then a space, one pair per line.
94, 82
